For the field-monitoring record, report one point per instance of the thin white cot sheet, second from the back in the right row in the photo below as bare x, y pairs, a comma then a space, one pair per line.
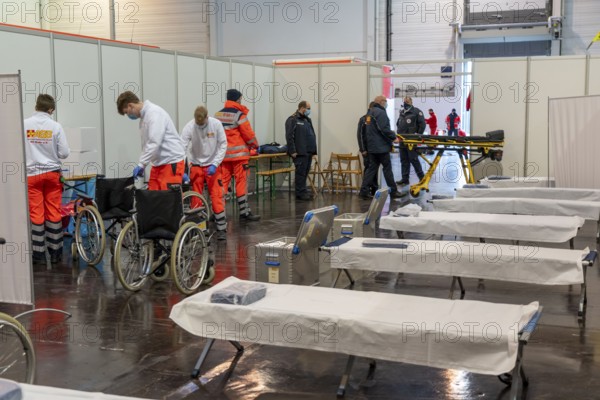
534, 193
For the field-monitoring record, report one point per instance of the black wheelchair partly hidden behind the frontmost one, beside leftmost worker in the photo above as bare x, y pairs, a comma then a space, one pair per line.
113, 202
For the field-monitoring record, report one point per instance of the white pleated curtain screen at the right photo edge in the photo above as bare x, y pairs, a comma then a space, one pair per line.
574, 141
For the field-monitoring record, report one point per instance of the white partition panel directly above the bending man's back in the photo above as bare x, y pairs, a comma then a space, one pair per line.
158, 79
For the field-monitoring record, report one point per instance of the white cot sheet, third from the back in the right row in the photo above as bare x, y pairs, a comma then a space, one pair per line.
512, 205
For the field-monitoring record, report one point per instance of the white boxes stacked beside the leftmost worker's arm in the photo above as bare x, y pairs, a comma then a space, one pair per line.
85, 152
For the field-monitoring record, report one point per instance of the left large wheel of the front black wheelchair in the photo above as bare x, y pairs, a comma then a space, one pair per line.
132, 259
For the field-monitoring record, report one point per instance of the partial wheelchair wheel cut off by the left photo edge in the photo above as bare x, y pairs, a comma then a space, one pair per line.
17, 357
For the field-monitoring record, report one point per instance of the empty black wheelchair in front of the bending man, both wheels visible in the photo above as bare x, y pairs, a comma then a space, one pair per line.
166, 223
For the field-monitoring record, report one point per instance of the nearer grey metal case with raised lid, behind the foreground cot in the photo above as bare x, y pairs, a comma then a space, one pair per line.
295, 260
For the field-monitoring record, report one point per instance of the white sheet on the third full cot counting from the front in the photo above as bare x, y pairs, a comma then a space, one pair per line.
537, 228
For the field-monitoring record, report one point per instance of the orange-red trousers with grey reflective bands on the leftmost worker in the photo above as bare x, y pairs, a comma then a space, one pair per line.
45, 195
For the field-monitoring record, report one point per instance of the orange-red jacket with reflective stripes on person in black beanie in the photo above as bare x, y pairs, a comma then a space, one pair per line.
240, 136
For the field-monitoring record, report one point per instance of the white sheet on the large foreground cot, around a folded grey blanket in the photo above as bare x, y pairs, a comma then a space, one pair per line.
468, 335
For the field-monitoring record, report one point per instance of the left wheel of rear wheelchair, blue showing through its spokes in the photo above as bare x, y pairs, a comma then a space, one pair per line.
89, 234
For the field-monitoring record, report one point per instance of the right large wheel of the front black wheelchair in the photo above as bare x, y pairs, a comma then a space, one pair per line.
189, 258
